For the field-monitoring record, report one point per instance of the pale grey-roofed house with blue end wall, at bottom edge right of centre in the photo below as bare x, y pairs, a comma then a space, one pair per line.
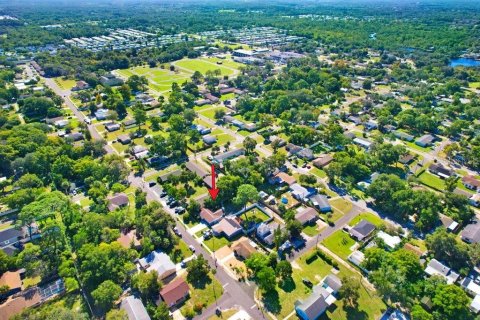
320, 299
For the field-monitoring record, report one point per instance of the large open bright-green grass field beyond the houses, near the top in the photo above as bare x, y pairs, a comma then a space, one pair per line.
160, 80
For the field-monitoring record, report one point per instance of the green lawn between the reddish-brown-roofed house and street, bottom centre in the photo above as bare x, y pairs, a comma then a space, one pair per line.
204, 293
